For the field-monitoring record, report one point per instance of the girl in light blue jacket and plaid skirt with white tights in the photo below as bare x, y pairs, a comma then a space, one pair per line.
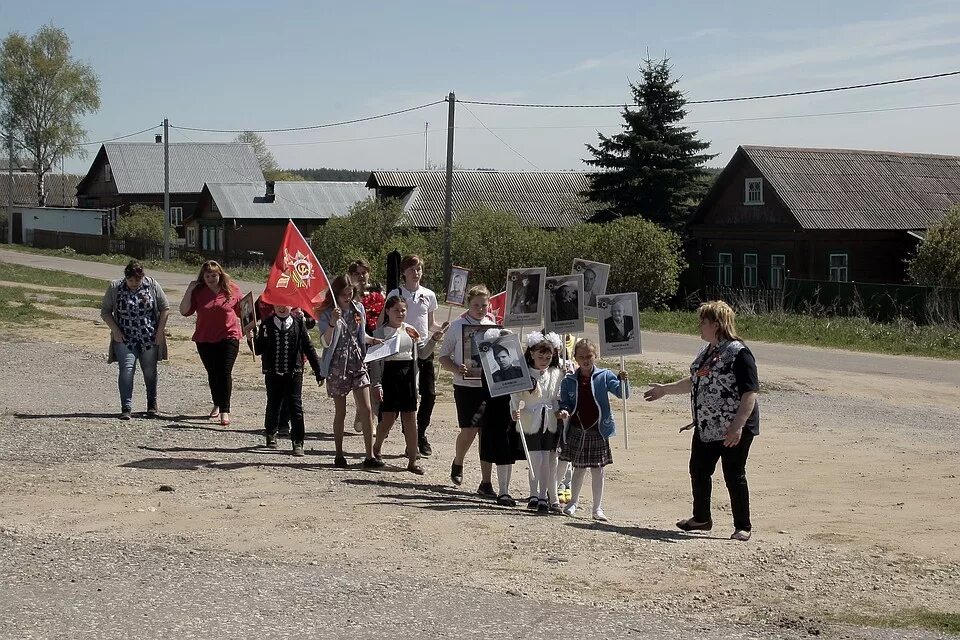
583, 399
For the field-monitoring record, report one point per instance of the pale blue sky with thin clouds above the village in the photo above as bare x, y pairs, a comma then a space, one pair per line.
268, 65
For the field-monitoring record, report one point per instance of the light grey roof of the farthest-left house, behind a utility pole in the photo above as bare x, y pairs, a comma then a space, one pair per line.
137, 167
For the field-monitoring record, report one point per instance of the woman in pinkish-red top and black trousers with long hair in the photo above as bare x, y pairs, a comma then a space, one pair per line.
216, 301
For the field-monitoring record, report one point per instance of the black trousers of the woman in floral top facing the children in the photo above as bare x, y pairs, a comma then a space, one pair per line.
703, 462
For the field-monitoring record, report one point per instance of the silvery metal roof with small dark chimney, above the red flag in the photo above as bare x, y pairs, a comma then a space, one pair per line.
297, 200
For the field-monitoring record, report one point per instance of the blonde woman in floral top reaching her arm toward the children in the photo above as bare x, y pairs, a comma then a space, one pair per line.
723, 386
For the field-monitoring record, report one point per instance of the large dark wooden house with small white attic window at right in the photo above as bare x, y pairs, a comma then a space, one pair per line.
820, 214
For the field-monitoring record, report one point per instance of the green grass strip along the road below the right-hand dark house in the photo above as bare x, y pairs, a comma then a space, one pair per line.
855, 334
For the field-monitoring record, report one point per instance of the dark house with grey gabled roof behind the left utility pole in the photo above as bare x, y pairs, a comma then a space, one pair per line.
128, 173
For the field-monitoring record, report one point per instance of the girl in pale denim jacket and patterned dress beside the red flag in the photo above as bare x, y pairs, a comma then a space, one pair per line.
342, 326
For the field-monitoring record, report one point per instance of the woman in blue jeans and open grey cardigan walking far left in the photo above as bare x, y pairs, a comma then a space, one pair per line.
136, 310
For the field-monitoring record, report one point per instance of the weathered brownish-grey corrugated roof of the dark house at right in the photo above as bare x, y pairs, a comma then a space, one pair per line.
854, 189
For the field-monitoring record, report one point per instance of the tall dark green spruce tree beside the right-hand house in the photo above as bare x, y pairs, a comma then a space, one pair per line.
654, 168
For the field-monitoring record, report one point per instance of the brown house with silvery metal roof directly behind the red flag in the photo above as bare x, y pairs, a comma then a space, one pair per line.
250, 217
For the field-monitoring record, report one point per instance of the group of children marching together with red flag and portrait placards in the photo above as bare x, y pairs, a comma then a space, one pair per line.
562, 424
